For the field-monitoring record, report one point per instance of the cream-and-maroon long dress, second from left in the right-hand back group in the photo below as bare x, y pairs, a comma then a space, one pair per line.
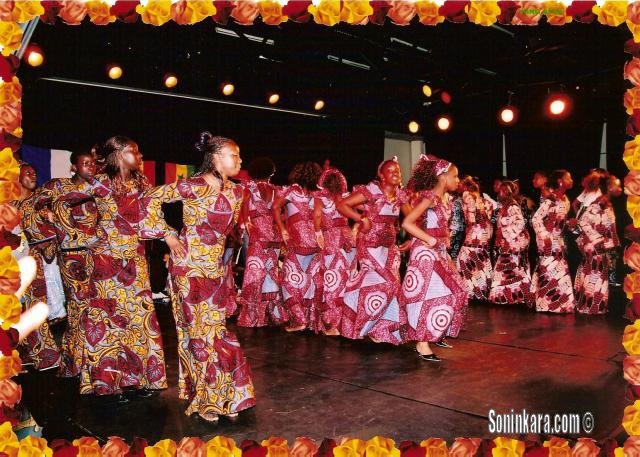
511, 281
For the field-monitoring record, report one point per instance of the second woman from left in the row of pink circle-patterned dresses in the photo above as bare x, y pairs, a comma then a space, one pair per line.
302, 274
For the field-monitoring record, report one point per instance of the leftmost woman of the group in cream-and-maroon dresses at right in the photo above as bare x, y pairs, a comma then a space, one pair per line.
474, 260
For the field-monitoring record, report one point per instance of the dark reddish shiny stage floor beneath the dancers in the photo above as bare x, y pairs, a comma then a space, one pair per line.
318, 386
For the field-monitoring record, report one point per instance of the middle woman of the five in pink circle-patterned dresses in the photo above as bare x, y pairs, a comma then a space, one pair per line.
336, 240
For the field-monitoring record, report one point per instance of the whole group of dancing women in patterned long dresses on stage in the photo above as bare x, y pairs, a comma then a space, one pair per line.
318, 257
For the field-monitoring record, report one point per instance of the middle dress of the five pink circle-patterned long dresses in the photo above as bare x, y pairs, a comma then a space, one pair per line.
338, 259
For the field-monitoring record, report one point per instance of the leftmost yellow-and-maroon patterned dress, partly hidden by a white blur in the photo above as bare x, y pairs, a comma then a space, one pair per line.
39, 348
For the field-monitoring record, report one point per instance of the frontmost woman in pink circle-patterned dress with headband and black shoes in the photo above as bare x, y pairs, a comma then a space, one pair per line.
433, 298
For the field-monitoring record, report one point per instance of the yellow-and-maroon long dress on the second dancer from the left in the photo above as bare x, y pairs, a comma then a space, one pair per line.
77, 230
